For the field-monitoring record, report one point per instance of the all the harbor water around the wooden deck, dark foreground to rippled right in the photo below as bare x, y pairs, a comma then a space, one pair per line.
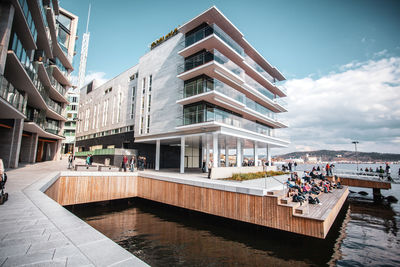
365, 233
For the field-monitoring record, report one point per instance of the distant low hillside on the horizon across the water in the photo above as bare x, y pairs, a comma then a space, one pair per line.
343, 155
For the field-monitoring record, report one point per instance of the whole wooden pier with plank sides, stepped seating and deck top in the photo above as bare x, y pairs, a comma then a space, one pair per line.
229, 200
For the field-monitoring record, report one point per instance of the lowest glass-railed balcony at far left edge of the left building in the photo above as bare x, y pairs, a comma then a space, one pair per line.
11, 95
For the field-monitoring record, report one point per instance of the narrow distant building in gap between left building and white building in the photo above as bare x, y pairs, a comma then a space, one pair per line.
70, 125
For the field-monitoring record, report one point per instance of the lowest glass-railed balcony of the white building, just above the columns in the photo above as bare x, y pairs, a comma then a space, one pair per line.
211, 117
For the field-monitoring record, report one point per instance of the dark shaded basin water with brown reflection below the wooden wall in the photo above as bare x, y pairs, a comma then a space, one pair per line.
165, 236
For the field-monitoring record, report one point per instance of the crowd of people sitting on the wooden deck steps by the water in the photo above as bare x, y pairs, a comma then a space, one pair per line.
309, 187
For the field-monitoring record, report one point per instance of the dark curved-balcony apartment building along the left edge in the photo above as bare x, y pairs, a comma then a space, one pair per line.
36, 50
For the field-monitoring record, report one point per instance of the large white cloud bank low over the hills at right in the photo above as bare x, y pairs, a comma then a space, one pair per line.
361, 102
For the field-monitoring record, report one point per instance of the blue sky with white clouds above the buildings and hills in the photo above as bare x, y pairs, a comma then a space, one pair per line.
341, 58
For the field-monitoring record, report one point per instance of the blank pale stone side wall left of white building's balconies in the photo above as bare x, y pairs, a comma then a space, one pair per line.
162, 63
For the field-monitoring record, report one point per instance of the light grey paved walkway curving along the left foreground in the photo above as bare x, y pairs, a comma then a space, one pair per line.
36, 231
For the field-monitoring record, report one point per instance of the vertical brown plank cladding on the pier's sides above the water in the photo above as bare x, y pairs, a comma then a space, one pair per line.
260, 210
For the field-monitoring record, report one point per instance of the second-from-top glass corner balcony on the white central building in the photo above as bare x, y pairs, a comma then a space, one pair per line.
208, 62
